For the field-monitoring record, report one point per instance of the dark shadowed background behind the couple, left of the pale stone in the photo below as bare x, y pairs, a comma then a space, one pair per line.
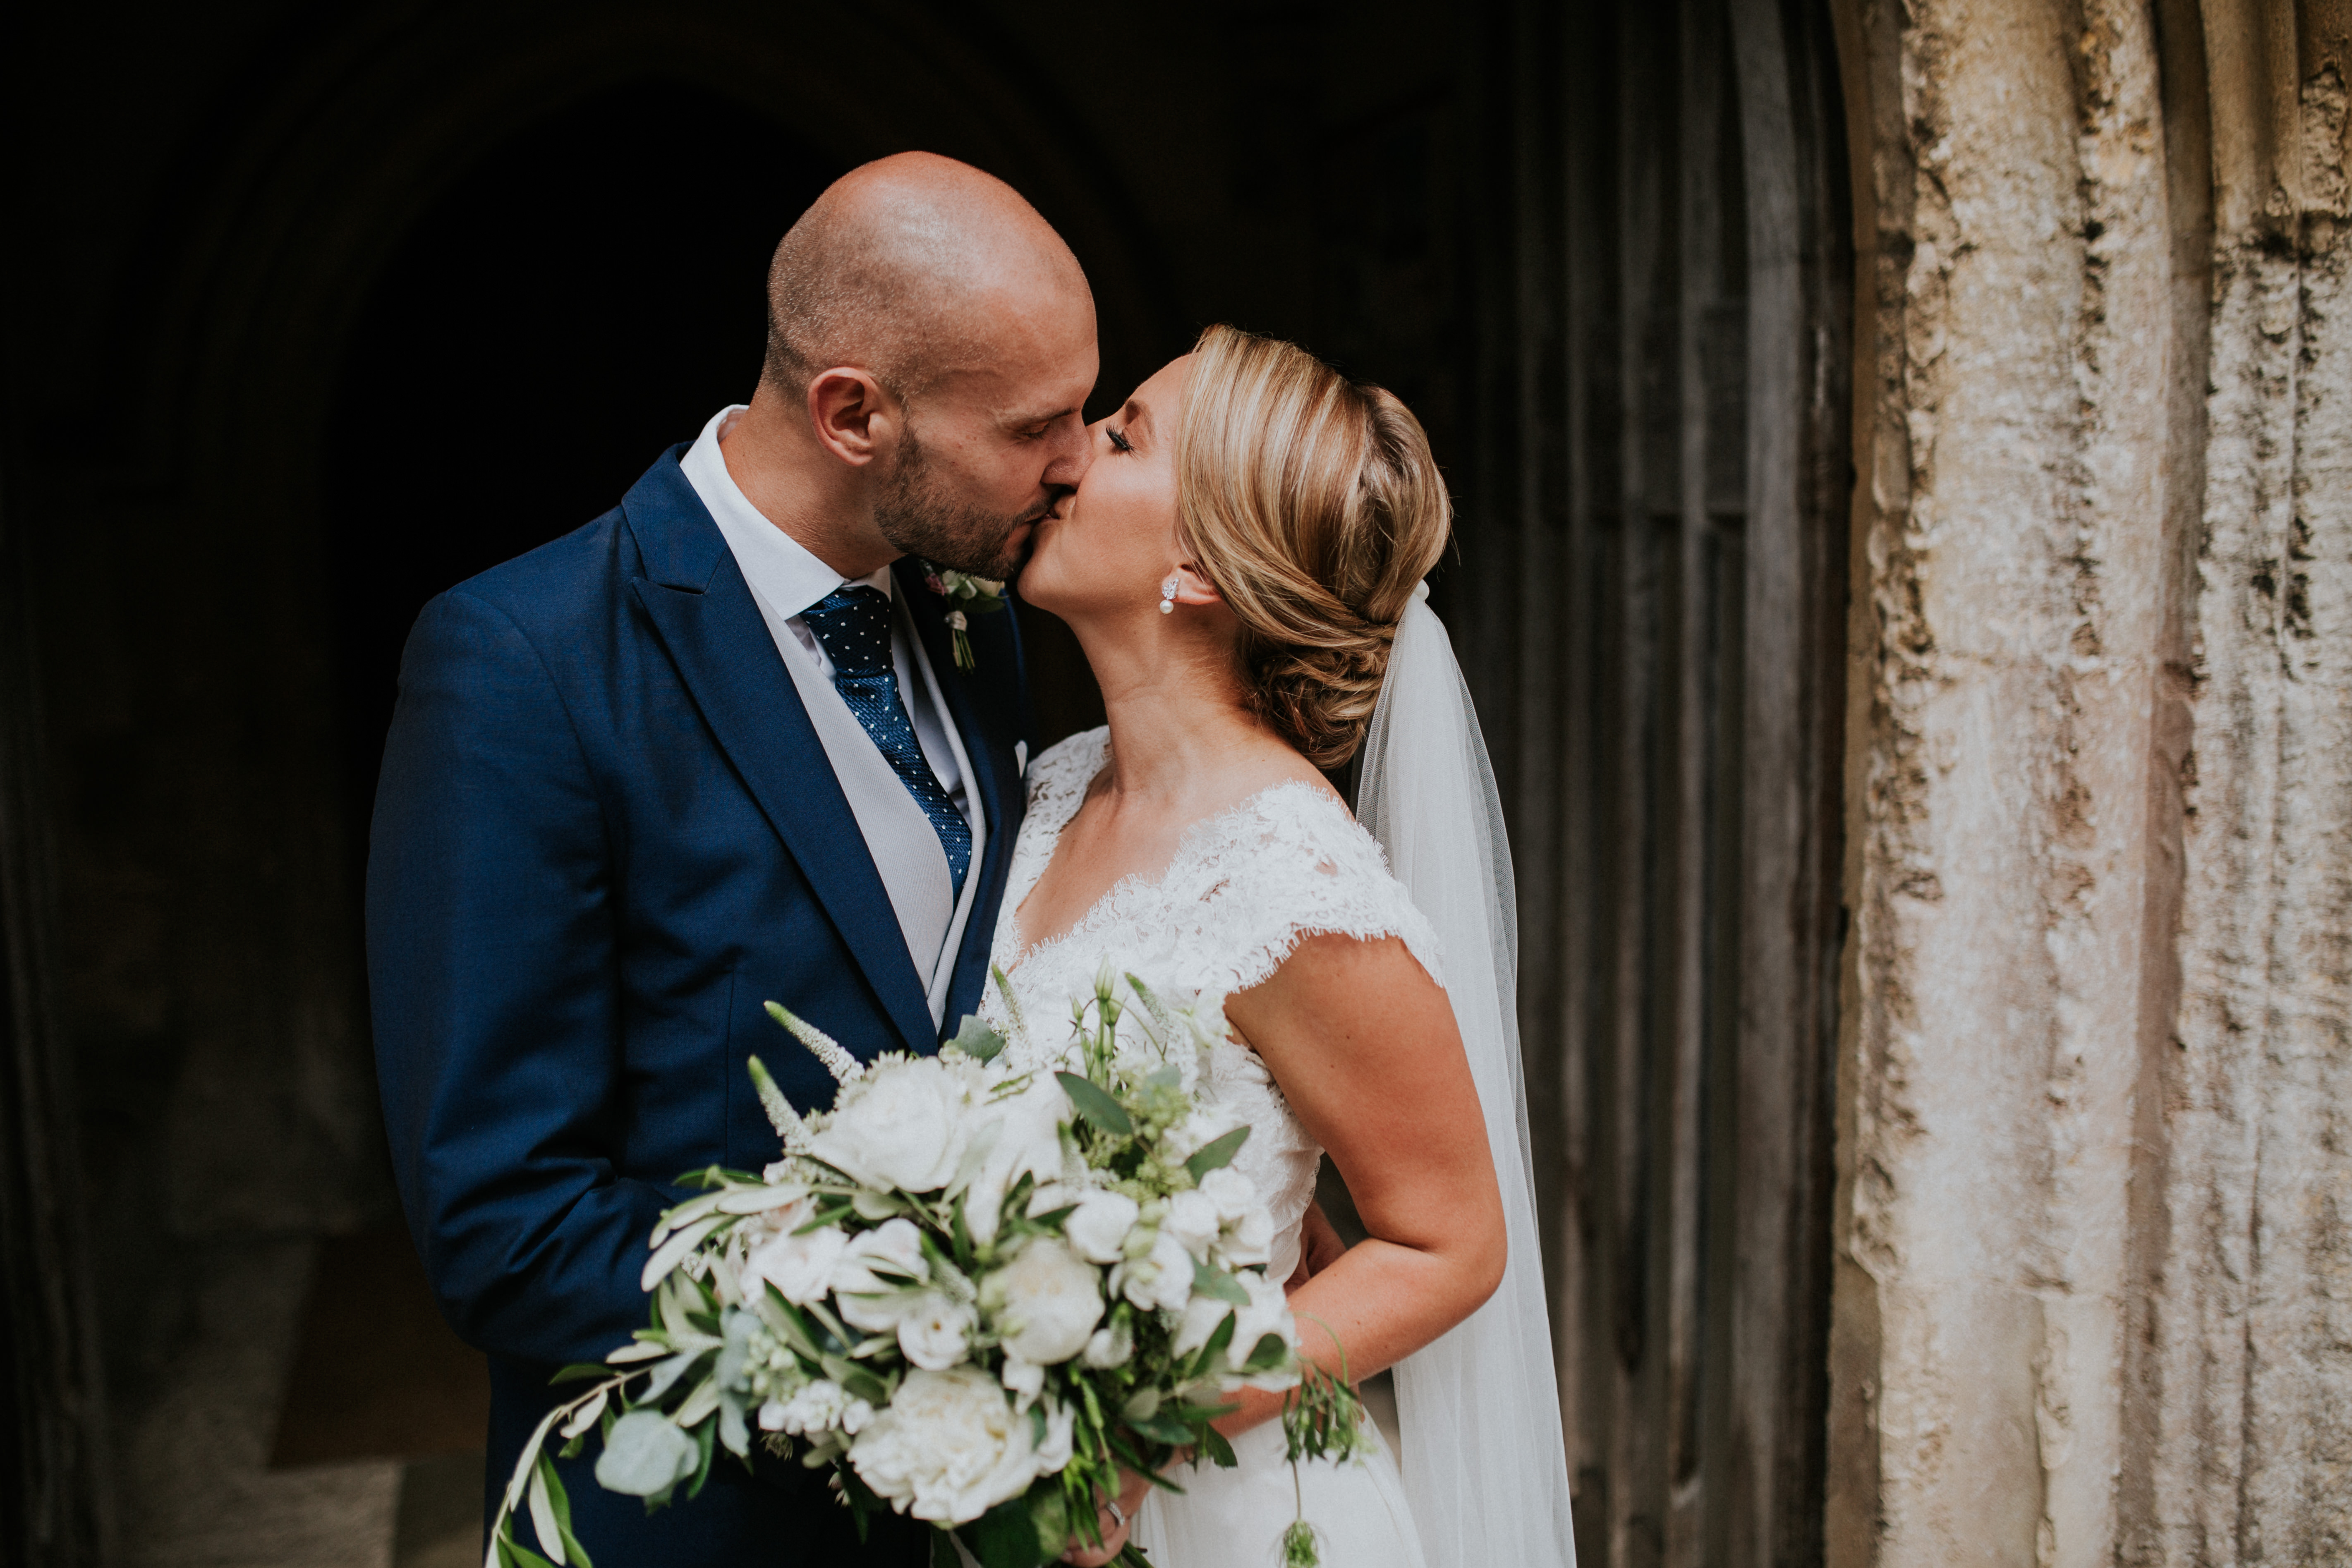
330, 307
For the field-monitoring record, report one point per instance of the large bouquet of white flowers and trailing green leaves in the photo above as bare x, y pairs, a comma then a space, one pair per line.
975, 1294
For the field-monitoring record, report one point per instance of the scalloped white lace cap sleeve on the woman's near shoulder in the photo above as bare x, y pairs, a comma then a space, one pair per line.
1288, 866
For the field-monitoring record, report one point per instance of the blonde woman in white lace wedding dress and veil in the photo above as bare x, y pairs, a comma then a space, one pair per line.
1243, 565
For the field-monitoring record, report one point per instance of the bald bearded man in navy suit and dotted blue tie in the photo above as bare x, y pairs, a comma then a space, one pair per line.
709, 751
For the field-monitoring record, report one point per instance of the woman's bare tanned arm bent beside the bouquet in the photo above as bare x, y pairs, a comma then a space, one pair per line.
1365, 1050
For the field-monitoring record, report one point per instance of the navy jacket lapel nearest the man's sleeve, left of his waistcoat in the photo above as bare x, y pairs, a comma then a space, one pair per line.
714, 634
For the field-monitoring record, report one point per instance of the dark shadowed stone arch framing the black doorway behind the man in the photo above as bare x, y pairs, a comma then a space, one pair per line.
239, 387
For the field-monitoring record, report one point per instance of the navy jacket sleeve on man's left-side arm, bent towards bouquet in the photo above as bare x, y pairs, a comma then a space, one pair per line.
495, 996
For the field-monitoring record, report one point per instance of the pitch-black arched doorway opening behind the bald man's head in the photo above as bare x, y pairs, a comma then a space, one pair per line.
577, 302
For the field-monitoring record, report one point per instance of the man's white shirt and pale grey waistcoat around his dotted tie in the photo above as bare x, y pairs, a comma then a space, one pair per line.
787, 582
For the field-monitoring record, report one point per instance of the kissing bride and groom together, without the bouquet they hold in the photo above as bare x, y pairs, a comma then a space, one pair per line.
761, 735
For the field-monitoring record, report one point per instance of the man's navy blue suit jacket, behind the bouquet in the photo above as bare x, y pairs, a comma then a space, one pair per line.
606, 836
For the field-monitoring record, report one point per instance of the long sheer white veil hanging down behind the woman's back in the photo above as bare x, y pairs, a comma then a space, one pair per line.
1485, 1463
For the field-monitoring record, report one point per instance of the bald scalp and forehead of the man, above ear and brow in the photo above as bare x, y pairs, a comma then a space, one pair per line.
914, 267
